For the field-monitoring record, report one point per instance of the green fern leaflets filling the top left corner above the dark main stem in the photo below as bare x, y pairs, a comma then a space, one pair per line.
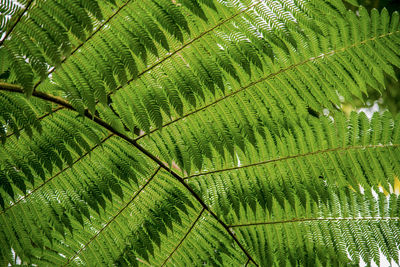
45, 45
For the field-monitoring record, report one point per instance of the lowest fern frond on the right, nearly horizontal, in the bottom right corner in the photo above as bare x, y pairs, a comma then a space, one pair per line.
346, 237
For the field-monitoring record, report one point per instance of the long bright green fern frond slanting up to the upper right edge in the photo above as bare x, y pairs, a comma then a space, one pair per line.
343, 73
